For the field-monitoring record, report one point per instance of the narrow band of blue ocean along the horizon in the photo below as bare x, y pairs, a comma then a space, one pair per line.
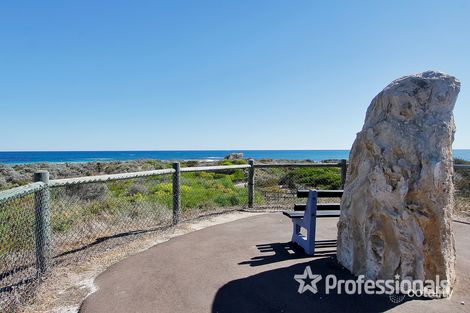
103, 156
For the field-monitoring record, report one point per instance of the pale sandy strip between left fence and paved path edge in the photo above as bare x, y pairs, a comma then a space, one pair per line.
67, 285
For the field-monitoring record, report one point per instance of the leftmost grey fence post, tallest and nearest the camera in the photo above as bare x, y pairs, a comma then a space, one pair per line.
42, 222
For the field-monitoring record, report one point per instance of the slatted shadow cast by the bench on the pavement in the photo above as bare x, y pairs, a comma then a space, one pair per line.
282, 251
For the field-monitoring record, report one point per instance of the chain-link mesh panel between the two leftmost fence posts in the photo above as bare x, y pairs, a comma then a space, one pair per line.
83, 215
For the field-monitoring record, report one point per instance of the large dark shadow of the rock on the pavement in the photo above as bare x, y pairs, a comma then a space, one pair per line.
277, 291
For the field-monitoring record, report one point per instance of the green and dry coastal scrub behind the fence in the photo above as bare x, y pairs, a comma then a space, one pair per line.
138, 203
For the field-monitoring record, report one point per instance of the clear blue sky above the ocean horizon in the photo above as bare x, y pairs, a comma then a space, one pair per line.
246, 74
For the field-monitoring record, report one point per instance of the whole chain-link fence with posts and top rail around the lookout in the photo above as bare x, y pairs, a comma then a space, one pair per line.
47, 219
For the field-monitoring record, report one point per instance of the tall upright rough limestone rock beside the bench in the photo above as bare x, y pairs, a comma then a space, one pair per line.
398, 196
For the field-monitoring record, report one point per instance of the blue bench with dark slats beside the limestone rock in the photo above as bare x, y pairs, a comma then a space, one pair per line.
305, 216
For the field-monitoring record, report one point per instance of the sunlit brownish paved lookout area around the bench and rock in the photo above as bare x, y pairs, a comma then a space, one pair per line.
248, 266
